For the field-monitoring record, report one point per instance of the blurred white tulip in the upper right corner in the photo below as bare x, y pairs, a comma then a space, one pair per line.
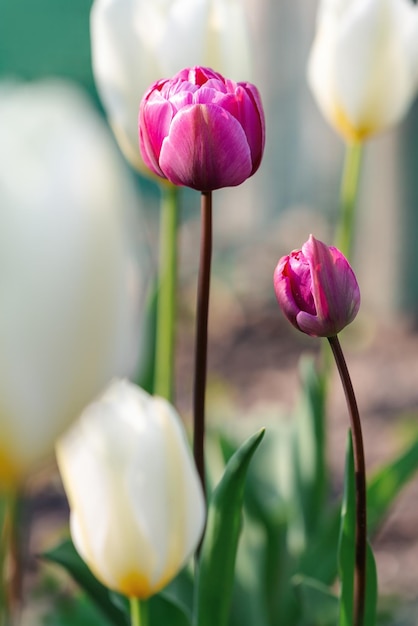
363, 67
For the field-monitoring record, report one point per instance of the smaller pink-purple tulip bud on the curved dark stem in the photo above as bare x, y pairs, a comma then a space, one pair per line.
317, 289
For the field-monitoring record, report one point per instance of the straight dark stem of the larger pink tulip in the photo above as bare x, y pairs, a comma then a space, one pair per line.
202, 333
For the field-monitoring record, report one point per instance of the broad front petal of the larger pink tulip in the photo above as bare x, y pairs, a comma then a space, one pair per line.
205, 149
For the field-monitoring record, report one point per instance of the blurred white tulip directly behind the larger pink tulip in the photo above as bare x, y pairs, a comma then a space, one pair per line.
136, 42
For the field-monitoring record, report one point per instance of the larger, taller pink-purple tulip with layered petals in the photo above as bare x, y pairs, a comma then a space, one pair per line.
201, 130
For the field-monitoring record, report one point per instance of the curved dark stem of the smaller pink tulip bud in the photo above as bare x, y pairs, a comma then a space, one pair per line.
360, 483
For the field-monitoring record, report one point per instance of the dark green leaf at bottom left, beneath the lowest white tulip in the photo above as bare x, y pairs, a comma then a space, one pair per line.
66, 555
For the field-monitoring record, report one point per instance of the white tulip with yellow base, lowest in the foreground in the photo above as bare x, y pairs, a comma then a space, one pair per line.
137, 507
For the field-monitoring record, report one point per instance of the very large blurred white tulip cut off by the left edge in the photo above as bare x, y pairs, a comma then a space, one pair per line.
69, 283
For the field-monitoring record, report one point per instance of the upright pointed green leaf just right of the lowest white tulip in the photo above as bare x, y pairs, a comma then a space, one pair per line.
217, 560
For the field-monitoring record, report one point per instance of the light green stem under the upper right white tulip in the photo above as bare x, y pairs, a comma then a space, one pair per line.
348, 198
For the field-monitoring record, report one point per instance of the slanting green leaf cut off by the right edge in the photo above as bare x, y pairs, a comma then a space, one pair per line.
387, 483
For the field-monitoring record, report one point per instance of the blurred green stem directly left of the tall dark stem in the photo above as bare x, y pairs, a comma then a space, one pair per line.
166, 307
